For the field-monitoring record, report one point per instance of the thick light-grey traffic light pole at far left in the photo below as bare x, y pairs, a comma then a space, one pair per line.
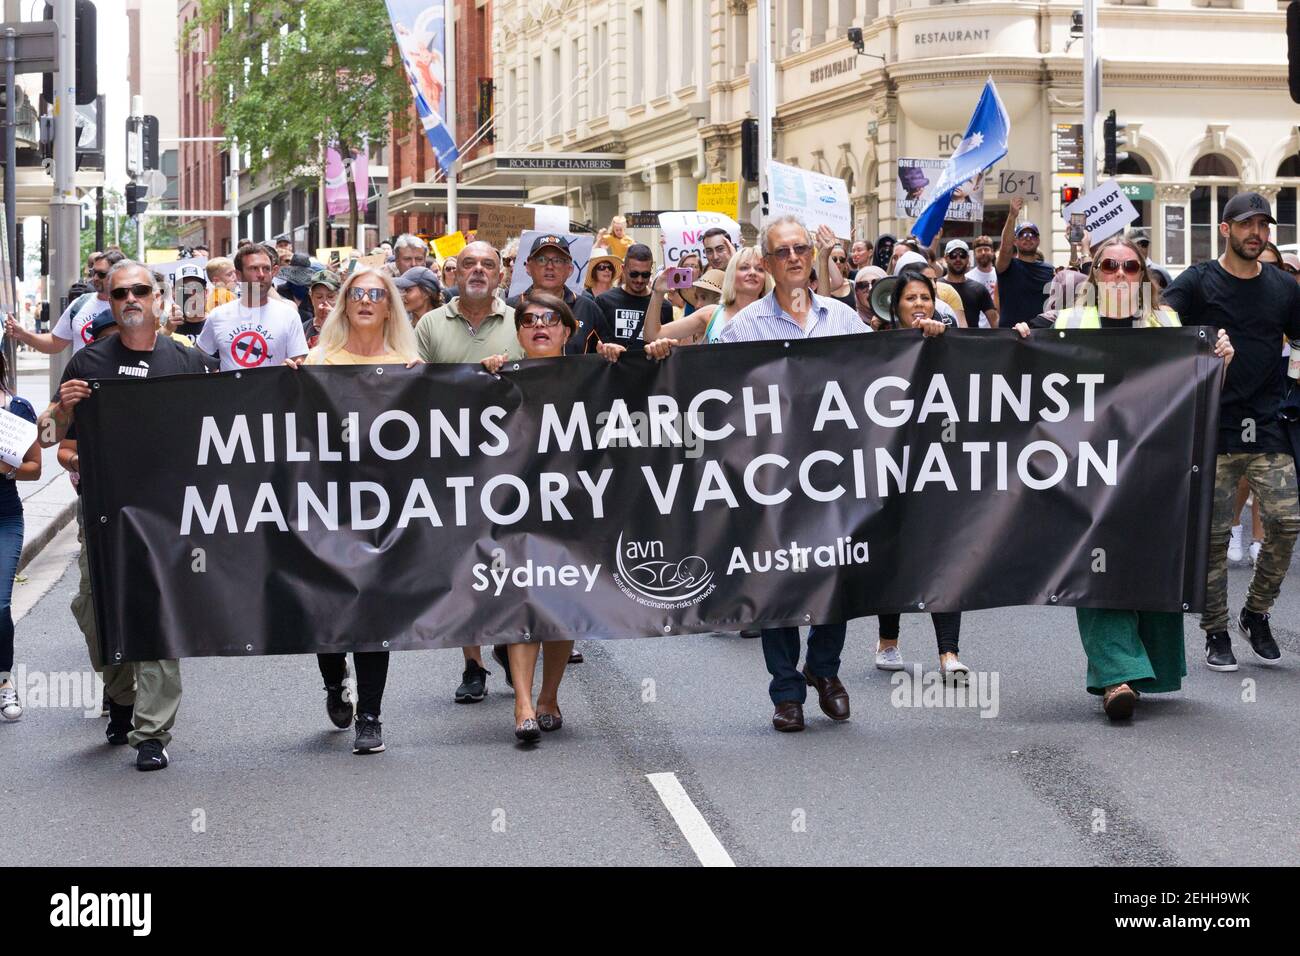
64, 209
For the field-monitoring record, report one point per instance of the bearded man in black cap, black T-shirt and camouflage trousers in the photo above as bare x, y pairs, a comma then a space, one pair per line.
1256, 306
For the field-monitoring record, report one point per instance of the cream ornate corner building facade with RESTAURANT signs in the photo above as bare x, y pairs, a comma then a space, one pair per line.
657, 90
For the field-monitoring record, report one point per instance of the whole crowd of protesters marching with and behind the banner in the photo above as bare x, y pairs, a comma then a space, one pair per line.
271, 305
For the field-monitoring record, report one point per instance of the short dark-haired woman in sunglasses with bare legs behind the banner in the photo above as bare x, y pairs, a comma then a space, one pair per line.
544, 325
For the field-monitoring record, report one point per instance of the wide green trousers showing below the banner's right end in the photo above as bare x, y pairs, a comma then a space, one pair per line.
1143, 650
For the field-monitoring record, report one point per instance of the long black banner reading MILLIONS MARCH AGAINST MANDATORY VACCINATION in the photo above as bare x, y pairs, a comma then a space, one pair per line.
781, 483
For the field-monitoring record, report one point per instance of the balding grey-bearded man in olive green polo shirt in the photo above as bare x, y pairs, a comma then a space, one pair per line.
470, 328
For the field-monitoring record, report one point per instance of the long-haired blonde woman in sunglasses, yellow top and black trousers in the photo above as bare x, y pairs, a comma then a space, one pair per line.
367, 327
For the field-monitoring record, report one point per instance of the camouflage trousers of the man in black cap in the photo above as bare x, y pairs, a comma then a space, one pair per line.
1273, 481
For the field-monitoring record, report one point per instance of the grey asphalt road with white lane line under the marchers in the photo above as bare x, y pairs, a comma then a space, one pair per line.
1199, 777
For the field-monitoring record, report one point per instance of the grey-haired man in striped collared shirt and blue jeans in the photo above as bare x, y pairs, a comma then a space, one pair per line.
792, 312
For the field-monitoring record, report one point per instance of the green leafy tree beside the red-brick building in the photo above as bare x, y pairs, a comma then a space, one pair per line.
296, 76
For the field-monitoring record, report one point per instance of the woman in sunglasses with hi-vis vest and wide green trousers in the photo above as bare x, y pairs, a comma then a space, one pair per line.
1129, 652
